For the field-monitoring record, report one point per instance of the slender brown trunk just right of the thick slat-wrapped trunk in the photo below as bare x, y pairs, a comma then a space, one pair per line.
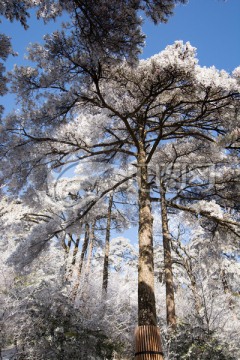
170, 302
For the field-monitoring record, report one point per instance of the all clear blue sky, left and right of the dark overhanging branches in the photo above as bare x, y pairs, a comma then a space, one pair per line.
212, 26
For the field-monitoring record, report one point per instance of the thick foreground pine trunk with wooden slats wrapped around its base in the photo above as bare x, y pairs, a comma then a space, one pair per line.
147, 318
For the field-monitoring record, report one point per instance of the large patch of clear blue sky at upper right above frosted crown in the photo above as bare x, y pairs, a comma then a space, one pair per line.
212, 26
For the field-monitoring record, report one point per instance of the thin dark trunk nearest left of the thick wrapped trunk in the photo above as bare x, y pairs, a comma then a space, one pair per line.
107, 246
